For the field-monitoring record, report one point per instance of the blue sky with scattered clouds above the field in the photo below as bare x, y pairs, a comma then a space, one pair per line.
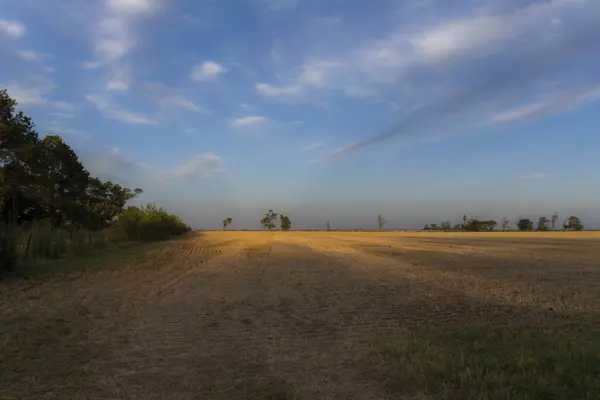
337, 110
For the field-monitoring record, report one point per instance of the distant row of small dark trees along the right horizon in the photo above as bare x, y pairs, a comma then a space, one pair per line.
572, 223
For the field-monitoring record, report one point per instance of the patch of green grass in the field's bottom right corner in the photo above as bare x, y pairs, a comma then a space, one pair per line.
498, 363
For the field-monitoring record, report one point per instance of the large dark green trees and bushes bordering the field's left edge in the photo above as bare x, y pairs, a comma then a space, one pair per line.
50, 205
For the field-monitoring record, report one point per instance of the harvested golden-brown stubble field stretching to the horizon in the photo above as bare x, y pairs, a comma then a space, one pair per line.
312, 315
